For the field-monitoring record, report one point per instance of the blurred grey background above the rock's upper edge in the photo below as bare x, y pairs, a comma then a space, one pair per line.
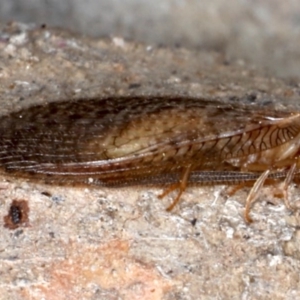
265, 33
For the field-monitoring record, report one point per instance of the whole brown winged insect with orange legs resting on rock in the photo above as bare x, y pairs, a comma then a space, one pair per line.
119, 141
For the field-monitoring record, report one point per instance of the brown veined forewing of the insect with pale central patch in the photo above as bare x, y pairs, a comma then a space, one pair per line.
139, 136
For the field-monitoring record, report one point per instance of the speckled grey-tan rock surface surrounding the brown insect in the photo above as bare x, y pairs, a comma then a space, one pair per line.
101, 243
